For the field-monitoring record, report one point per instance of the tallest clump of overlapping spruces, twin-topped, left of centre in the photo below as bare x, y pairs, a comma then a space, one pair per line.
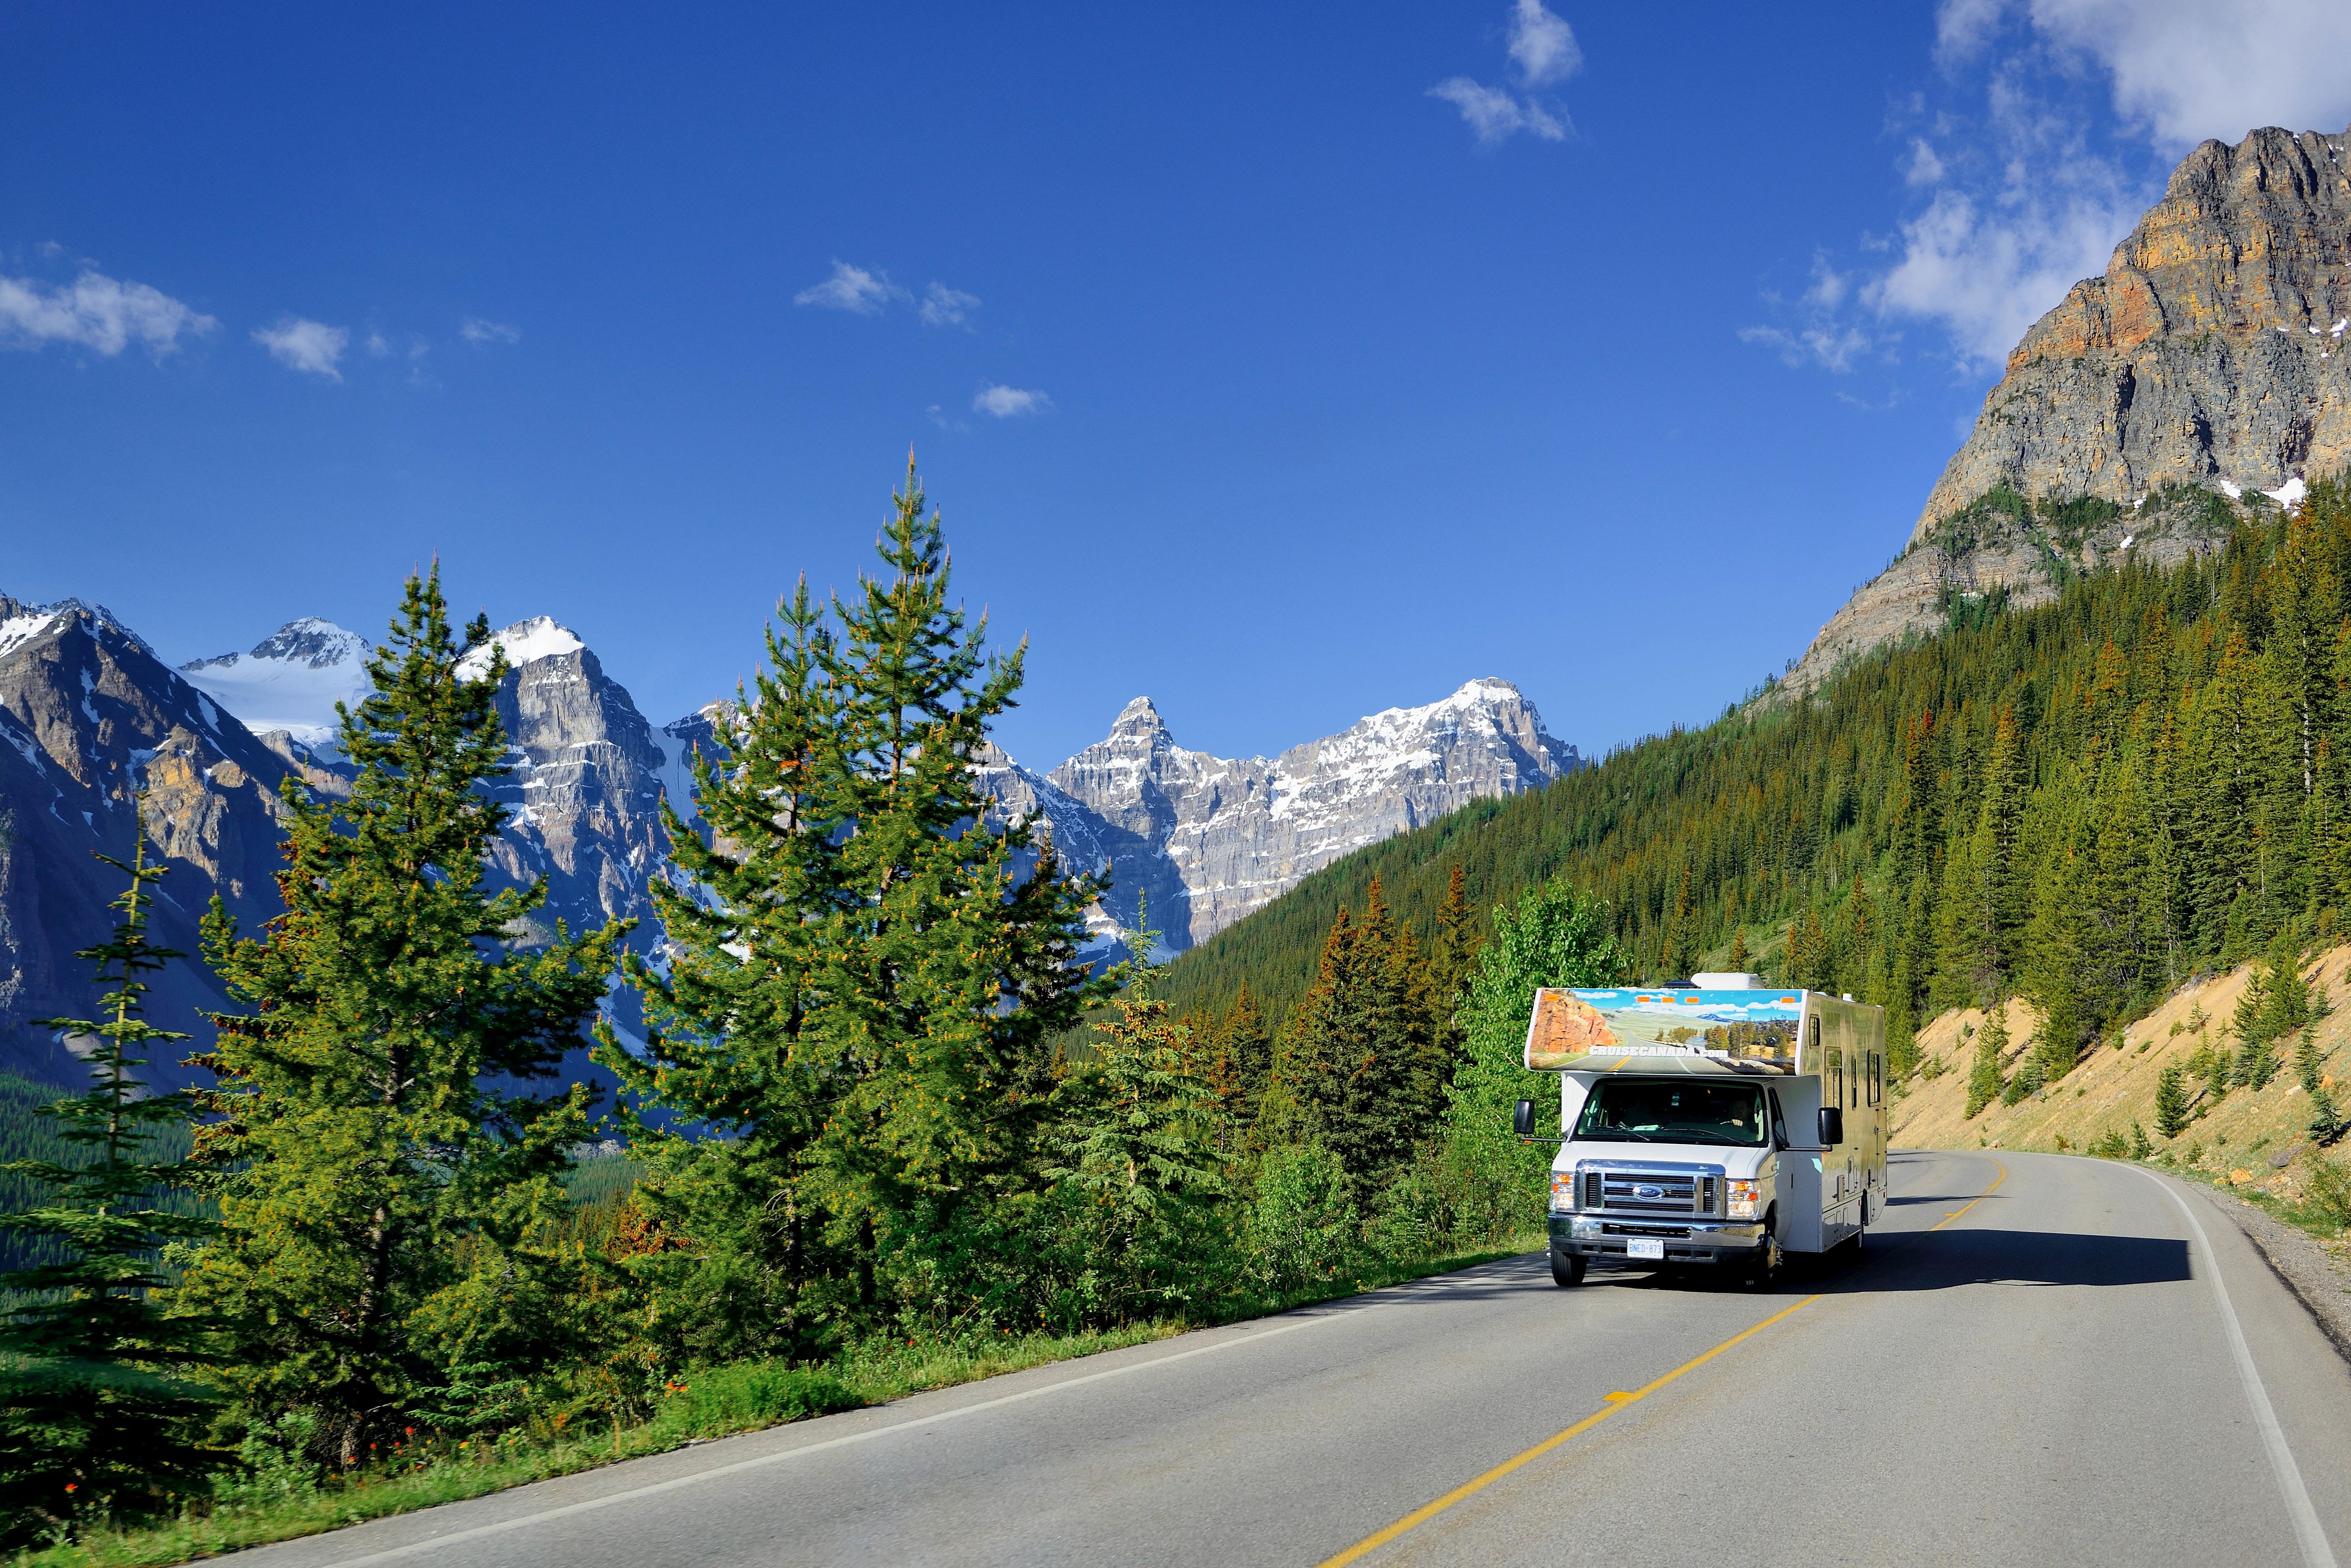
869, 981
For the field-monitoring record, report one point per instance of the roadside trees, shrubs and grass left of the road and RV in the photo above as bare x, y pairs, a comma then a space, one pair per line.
885, 1134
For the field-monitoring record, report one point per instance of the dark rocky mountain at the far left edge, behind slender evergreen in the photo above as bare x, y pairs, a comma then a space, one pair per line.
88, 718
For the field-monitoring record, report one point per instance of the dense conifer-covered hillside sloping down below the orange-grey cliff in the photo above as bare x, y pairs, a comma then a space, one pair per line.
2079, 803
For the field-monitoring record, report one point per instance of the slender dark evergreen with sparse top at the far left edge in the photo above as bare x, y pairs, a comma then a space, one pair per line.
98, 1405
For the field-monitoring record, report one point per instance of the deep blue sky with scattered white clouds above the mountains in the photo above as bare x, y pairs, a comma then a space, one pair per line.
1280, 363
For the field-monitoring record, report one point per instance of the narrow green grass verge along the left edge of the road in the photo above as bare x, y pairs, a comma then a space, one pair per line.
716, 1402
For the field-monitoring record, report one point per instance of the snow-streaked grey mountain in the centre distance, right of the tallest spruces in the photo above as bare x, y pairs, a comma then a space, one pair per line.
1212, 838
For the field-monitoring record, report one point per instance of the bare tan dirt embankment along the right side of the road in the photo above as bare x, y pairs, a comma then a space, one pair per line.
2251, 1137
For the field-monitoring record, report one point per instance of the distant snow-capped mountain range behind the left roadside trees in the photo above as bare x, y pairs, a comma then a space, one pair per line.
91, 713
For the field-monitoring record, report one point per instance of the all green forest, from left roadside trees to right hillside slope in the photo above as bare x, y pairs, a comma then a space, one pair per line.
368, 1254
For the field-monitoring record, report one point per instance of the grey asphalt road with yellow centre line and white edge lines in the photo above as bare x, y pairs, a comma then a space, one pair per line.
2084, 1367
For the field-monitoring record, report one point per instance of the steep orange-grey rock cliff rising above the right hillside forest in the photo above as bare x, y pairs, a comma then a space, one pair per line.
2213, 354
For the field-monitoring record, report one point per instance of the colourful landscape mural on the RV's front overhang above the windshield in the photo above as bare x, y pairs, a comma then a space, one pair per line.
1576, 1024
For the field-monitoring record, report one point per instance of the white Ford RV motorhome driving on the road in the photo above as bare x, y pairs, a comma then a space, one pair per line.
1720, 1127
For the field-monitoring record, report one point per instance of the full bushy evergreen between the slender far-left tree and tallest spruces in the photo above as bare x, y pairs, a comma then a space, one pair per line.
384, 1167
